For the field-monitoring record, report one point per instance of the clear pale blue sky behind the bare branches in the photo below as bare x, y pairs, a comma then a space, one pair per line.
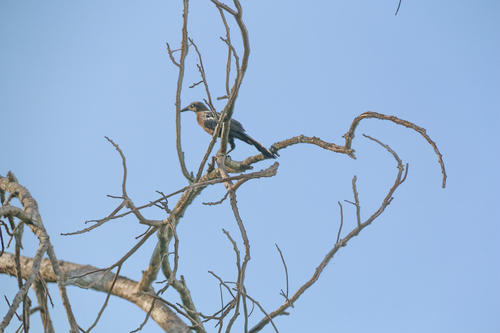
72, 72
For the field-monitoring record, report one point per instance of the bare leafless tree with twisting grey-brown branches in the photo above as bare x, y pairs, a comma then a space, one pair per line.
35, 272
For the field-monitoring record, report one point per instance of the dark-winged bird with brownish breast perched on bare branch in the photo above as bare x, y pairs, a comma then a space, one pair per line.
208, 121
